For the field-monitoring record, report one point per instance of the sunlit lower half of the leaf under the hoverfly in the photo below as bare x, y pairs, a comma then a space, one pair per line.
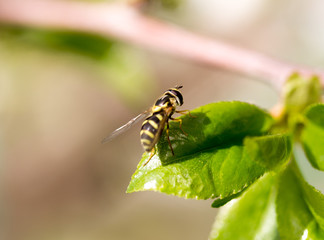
207, 174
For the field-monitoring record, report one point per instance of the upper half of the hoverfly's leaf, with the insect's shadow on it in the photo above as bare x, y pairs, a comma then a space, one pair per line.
215, 125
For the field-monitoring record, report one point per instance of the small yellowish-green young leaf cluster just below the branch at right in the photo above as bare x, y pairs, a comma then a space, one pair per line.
299, 92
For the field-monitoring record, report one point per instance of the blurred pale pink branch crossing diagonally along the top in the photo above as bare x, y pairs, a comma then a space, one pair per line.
127, 24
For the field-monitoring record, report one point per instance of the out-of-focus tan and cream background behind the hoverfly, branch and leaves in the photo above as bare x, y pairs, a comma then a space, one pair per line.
61, 93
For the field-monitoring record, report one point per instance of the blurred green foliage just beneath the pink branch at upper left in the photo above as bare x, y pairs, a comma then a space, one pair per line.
121, 66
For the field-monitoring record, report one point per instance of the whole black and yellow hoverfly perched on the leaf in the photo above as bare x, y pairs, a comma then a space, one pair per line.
156, 118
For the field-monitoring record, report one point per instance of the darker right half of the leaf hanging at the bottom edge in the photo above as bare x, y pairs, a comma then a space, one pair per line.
293, 215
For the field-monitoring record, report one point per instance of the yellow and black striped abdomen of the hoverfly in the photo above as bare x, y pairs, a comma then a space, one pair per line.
151, 130
